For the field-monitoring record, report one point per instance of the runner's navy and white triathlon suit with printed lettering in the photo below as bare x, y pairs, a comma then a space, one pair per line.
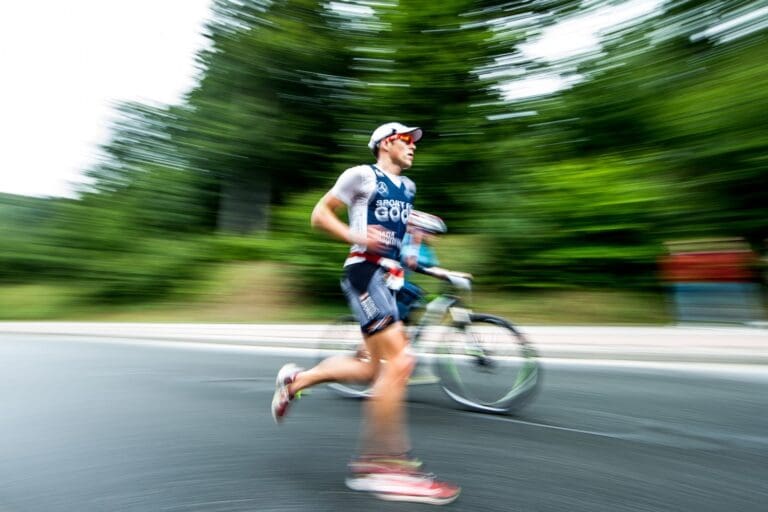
374, 198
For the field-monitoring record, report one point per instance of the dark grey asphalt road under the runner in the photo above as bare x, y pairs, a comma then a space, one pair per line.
99, 426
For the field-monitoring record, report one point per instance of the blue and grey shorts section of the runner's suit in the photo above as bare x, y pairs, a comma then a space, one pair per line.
369, 298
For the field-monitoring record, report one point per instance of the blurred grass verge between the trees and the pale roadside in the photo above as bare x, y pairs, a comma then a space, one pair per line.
267, 292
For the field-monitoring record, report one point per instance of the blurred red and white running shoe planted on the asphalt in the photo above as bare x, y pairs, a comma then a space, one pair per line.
415, 487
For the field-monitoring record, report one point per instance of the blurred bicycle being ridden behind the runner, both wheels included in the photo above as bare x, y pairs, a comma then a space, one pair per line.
483, 362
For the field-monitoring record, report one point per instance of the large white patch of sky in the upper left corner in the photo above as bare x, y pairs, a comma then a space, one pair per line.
65, 64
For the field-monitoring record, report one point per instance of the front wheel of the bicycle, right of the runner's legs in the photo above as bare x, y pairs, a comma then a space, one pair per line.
487, 365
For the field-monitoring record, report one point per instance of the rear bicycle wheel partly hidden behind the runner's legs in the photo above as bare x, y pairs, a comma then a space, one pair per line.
343, 338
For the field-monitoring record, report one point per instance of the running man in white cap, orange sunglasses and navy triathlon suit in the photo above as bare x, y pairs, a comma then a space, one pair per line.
379, 201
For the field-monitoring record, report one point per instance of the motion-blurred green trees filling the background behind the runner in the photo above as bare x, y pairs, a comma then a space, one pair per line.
658, 135
